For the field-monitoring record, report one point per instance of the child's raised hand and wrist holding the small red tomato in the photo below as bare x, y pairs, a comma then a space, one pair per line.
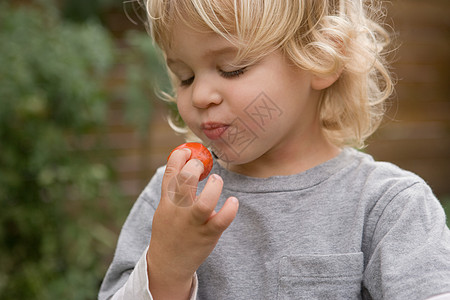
185, 229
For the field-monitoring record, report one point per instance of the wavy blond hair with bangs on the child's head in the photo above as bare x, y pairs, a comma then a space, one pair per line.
323, 36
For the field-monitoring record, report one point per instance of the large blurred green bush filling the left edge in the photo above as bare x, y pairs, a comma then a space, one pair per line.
56, 191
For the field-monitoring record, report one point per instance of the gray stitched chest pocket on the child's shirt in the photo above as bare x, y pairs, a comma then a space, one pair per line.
336, 276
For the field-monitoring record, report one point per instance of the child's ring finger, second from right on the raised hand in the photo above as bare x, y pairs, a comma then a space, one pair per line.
207, 201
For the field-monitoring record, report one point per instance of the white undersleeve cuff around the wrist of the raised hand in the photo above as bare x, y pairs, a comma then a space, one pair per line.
136, 287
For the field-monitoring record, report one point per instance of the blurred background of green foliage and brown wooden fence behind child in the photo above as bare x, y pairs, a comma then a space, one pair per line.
82, 130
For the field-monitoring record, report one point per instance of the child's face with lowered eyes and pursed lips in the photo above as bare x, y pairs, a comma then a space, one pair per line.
251, 116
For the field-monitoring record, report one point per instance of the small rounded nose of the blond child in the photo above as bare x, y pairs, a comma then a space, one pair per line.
205, 93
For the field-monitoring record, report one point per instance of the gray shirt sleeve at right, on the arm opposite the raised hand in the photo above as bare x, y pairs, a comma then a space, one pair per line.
410, 247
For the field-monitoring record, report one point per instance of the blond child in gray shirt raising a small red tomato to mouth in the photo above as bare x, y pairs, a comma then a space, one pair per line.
280, 91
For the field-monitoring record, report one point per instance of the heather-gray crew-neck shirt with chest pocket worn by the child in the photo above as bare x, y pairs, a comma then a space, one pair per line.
349, 228
